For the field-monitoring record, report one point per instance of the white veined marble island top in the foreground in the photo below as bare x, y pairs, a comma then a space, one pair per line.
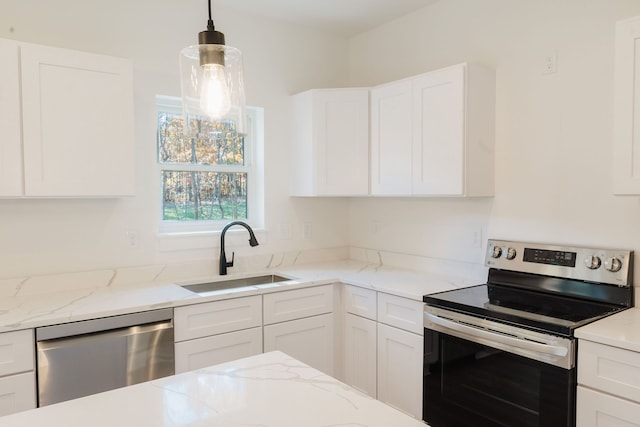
268, 390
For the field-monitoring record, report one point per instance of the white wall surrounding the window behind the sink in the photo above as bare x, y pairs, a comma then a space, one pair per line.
50, 236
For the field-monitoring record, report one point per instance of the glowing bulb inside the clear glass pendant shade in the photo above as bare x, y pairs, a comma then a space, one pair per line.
214, 94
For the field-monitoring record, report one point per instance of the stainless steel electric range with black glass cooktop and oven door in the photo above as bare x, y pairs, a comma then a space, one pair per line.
504, 353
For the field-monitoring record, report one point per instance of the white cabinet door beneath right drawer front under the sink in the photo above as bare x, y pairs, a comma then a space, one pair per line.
309, 340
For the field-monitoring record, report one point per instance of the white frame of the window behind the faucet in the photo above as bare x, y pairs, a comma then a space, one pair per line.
254, 167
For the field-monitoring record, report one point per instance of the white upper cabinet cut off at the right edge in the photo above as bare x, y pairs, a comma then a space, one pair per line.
626, 147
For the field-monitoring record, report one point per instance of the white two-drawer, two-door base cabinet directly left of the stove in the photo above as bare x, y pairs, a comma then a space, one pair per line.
383, 349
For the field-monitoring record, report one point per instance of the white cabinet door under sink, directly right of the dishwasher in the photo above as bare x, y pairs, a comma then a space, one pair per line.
203, 352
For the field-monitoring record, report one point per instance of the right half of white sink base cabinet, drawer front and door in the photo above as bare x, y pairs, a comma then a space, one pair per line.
300, 323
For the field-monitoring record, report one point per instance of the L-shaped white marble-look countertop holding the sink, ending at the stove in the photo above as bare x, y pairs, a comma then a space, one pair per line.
70, 301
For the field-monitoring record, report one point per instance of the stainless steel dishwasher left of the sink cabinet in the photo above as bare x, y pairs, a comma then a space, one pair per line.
82, 358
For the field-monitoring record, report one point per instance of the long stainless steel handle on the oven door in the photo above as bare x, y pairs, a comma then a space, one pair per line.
498, 337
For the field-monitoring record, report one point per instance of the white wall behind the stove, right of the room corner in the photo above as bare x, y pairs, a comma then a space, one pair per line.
554, 132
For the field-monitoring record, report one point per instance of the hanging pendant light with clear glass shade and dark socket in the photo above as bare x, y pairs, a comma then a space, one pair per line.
211, 81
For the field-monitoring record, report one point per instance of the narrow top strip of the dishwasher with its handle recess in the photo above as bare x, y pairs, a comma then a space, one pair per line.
66, 330
